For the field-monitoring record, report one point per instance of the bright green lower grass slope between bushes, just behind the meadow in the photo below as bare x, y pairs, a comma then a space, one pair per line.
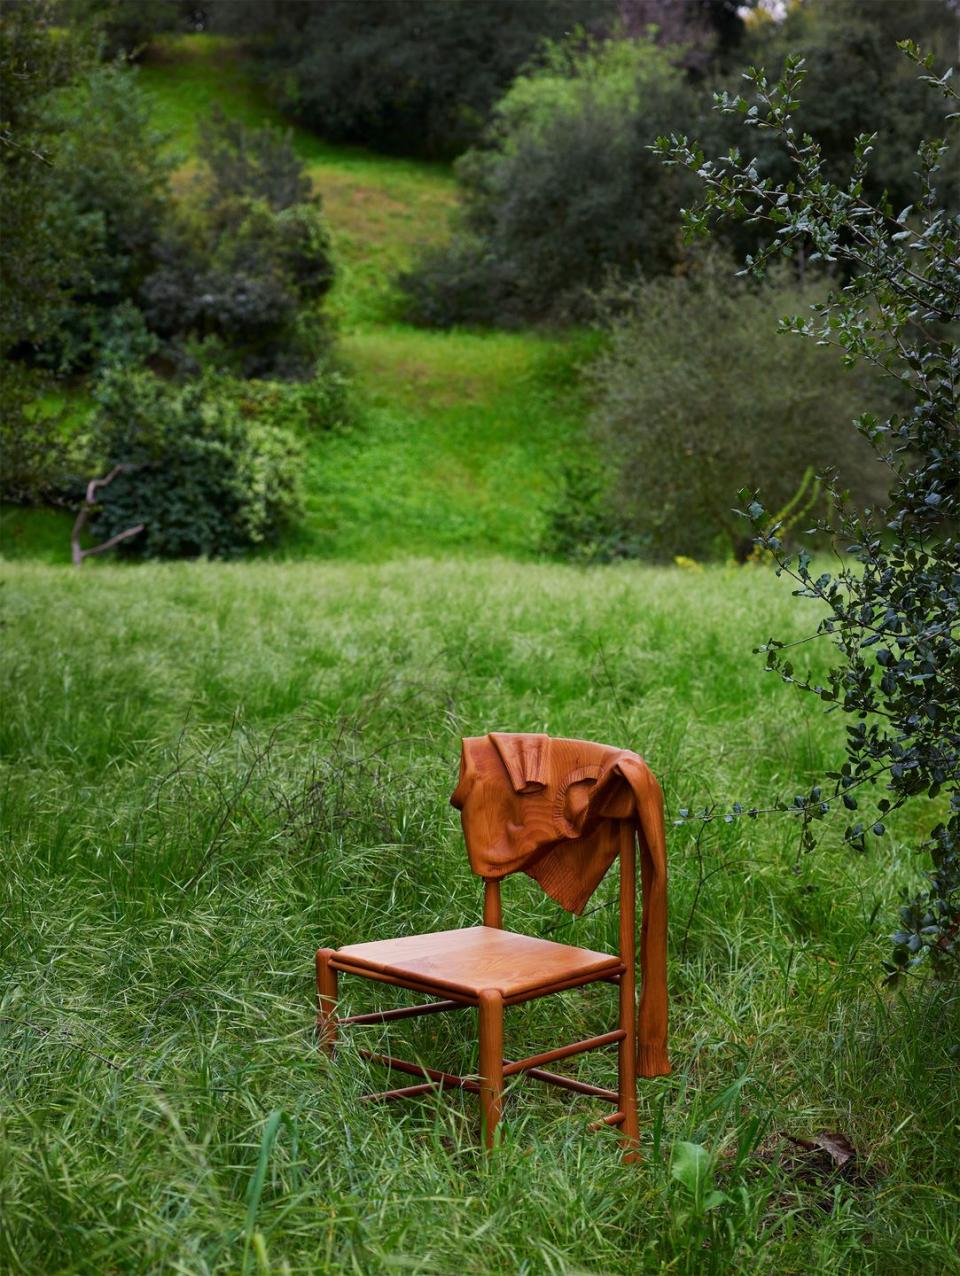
459, 449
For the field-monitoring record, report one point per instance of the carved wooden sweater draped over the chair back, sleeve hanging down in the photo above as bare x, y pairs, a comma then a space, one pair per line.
551, 808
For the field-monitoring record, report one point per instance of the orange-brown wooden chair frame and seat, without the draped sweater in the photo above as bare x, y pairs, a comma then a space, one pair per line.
491, 968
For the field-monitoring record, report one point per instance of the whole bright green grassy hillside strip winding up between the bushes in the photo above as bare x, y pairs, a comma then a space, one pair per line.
461, 436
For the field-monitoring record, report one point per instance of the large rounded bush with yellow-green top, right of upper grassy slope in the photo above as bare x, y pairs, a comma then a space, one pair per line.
562, 193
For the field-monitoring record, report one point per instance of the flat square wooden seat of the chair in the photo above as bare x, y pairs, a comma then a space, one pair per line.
476, 959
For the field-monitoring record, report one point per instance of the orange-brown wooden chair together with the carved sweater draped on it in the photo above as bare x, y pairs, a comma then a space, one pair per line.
491, 968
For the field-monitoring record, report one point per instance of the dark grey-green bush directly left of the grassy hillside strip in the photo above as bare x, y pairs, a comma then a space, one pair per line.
247, 261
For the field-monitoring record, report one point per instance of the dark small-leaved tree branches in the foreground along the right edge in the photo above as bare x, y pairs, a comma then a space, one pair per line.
893, 609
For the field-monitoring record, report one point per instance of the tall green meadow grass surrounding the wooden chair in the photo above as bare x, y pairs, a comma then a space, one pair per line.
213, 770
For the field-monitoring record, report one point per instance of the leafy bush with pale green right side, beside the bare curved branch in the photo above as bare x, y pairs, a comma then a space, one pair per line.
213, 477
